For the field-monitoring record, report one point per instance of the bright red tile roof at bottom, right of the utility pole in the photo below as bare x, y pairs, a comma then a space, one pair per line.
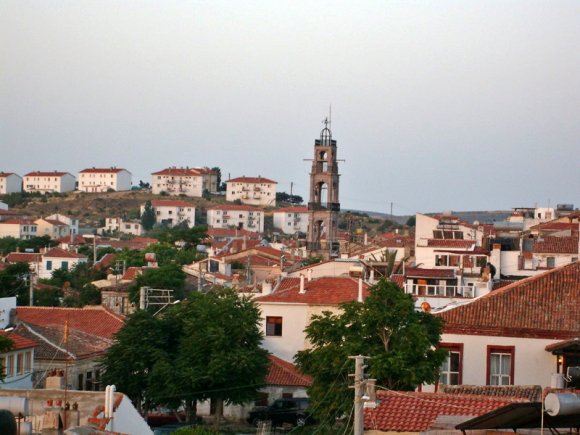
416, 412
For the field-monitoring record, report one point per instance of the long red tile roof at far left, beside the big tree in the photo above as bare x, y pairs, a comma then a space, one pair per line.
92, 320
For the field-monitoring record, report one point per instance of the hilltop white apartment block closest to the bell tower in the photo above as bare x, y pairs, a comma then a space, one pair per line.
252, 191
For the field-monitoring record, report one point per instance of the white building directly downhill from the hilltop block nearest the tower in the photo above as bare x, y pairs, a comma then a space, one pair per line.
236, 216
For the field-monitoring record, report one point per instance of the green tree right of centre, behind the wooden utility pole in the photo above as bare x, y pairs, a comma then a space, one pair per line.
400, 341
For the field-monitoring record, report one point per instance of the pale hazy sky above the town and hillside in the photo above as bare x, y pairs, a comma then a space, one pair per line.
459, 105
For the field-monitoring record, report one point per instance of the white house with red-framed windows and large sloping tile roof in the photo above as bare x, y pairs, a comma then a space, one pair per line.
523, 334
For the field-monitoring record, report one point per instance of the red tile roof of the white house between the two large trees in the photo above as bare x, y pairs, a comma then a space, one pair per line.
321, 291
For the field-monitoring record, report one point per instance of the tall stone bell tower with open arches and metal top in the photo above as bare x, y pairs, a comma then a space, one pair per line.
323, 206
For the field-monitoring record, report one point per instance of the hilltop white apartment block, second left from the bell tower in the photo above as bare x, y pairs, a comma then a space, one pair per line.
184, 181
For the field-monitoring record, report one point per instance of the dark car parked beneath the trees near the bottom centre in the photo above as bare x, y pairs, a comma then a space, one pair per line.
293, 411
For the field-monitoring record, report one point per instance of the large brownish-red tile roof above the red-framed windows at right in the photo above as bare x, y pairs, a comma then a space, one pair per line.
542, 306
